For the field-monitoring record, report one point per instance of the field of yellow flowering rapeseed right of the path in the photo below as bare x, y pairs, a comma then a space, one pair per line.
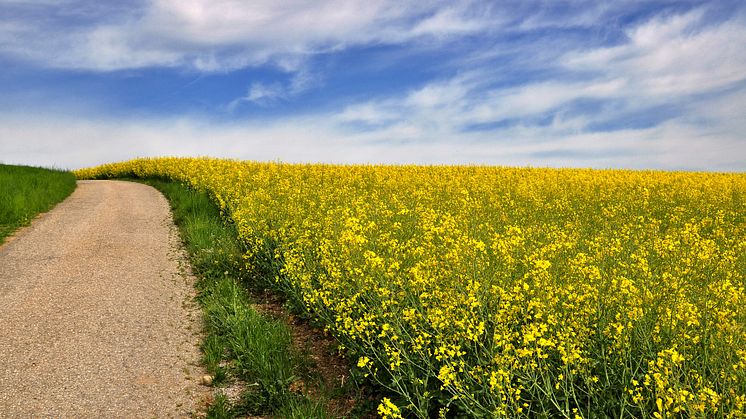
482, 291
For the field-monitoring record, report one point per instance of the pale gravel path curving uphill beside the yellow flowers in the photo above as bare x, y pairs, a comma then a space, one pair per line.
96, 312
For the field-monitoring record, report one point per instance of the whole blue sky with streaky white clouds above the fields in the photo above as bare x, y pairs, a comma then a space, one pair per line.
618, 84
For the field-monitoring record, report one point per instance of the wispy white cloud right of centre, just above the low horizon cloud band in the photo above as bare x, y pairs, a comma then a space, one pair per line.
448, 107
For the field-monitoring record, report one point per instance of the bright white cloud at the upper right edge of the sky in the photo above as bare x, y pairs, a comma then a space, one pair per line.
671, 56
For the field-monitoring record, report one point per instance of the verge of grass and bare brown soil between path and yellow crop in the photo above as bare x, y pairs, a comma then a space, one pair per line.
261, 360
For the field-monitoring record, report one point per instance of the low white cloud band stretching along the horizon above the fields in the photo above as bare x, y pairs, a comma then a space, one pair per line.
70, 143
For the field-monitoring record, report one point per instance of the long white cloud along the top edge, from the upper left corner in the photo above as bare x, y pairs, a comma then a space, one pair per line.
221, 35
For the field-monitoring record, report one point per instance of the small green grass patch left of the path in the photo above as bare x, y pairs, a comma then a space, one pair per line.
28, 191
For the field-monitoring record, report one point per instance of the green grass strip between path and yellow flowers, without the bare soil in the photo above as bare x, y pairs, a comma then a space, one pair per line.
242, 346
